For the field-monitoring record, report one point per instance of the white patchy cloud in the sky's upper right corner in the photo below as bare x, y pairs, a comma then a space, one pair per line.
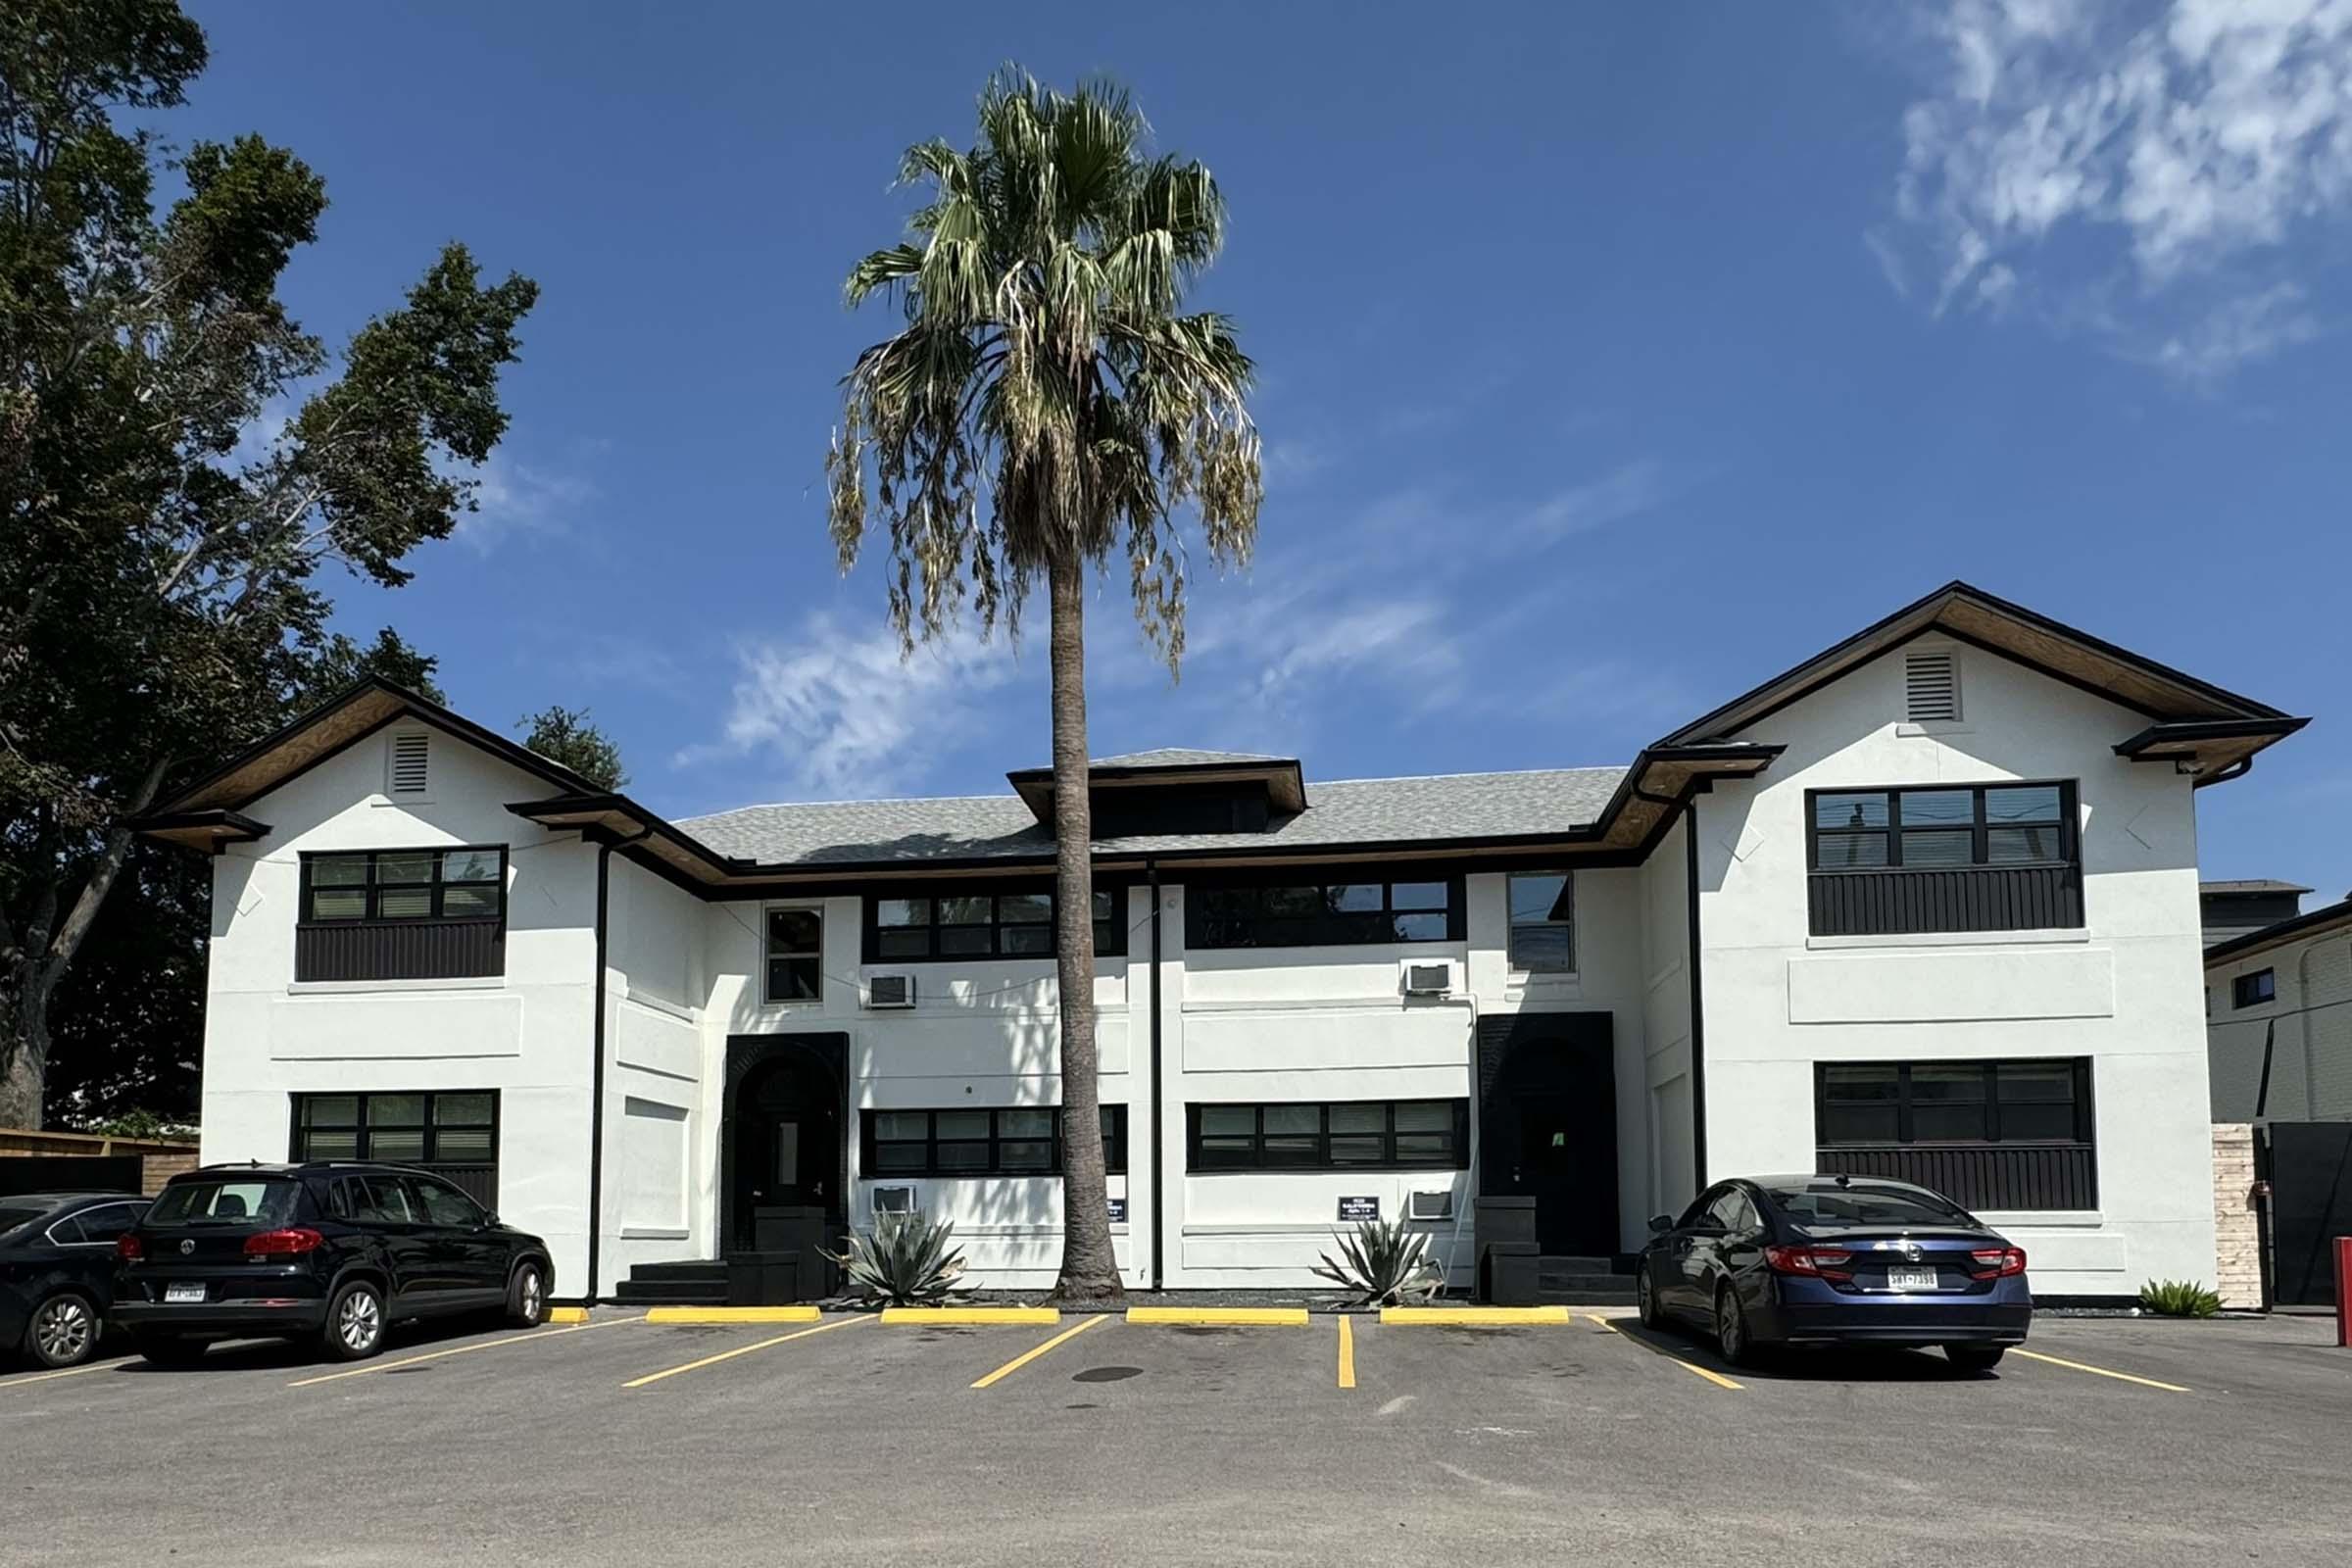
2080, 149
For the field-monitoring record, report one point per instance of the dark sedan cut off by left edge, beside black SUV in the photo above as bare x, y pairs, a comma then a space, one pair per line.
58, 1268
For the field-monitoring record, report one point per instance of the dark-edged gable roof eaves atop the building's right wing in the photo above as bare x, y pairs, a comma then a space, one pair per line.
2196, 723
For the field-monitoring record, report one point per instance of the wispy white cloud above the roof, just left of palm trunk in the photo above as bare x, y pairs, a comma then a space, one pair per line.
848, 716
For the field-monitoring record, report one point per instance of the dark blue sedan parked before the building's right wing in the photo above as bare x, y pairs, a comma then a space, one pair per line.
1836, 1261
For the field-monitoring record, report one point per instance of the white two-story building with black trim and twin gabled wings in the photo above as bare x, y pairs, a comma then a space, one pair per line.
1920, 906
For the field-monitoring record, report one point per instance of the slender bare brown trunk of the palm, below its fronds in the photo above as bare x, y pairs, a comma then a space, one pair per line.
1090, 1271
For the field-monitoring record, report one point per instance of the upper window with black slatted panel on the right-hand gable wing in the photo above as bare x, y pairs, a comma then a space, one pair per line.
1944, 859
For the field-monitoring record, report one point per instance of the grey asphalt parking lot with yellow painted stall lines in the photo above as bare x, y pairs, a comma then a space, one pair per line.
1114, 1442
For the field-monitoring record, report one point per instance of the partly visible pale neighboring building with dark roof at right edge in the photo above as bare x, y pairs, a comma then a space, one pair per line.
2283, 996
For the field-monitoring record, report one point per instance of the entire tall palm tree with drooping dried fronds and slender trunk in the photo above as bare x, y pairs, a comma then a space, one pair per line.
1043, 406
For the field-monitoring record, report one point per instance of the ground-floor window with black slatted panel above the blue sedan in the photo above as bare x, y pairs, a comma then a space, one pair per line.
2003, 1134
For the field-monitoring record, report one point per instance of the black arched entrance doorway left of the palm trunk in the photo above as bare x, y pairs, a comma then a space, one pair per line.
784, 1181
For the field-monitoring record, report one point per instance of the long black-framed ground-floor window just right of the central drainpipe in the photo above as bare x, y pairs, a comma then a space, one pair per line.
1330, 1137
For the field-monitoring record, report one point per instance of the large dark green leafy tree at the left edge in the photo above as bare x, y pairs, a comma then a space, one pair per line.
166, 530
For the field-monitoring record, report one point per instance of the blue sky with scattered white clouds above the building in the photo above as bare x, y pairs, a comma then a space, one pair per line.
1612, 361
